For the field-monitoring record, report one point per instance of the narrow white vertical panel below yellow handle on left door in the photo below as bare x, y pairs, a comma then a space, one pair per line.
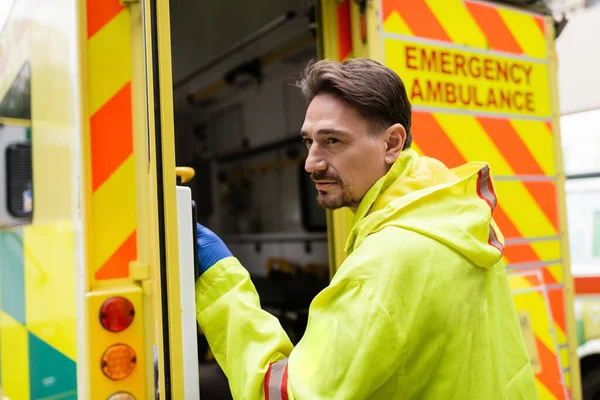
188, 293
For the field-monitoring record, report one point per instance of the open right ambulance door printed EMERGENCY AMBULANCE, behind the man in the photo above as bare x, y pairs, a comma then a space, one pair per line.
445, 51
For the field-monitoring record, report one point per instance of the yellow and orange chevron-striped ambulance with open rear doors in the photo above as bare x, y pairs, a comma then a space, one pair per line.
125, 122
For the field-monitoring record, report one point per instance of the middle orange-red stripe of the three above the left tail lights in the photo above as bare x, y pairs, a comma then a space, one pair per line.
111, 132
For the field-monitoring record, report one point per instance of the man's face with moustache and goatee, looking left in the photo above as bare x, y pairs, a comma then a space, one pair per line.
344, 160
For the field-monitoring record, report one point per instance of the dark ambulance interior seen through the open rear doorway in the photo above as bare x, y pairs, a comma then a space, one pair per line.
237, 121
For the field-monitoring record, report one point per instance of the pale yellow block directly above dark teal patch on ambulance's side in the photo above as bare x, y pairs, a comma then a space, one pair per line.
49, 266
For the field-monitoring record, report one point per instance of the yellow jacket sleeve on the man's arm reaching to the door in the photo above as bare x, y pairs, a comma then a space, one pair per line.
349, 349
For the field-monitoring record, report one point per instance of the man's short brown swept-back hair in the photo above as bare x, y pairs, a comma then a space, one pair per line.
376, 91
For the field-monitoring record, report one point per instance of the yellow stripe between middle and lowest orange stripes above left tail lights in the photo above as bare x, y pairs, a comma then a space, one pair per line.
113, 209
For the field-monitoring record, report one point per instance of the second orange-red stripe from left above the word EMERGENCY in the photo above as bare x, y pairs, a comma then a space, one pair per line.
495, 30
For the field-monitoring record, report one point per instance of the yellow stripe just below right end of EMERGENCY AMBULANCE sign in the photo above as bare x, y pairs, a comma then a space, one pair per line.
538, 140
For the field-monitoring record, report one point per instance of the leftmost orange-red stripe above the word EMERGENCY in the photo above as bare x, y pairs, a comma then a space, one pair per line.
418, 16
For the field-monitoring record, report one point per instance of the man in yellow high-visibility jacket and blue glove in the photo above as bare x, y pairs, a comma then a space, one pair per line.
421, 307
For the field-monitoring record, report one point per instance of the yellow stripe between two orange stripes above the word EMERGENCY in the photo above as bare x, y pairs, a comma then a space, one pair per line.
458, 23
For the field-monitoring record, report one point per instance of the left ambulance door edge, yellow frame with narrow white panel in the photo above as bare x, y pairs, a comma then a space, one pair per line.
171, 219
